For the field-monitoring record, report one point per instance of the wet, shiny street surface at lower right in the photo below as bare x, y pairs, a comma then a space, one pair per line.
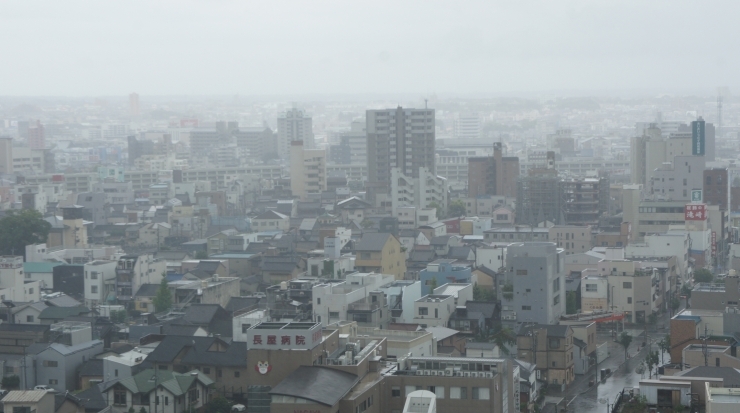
584, 399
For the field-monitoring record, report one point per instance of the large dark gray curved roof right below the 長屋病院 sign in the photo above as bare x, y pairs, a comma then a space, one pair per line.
318, 384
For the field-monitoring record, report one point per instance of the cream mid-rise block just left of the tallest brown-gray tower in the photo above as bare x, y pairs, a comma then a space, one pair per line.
307, 170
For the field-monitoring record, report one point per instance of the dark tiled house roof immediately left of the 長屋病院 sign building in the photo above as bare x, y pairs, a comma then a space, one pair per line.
197, 353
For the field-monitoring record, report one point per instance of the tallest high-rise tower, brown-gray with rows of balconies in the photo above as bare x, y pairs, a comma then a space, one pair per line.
397, 138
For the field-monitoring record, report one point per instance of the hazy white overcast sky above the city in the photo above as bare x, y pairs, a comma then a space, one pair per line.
296, 47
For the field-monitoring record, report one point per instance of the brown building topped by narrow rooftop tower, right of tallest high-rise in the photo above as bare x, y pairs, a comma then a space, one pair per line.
493, 175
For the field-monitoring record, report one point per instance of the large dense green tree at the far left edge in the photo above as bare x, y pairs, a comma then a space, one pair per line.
21, 228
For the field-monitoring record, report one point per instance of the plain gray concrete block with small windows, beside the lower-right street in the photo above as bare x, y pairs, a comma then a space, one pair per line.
533, 284
